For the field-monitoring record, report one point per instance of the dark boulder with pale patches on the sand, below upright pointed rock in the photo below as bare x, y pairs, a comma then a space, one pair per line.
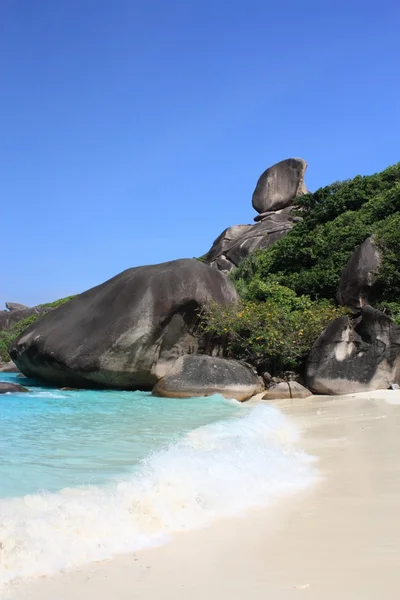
355, 355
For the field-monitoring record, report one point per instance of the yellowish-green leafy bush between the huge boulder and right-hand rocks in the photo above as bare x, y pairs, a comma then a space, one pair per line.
272, 328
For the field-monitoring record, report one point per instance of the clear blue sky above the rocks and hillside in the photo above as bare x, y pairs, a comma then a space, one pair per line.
133, 132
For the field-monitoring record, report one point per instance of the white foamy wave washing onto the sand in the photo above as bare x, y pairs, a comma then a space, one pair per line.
215, 471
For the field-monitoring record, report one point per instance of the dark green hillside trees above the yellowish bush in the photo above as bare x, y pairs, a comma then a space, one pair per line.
335, 220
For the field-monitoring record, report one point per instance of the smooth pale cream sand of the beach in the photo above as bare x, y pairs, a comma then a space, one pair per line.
339, 540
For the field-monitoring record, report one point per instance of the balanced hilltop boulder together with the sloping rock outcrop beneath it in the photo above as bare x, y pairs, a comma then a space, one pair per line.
273, 198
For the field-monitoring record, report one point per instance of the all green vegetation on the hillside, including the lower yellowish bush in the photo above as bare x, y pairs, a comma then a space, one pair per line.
289, 290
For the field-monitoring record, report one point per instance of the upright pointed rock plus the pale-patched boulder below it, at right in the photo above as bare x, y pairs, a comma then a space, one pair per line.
359, 352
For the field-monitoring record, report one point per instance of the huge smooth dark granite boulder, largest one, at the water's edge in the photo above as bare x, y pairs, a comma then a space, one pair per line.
125, 333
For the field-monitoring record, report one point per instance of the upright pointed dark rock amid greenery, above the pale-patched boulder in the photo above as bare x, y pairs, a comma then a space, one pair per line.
358, 281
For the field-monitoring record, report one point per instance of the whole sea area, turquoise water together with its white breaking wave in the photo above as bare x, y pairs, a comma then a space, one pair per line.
87, 475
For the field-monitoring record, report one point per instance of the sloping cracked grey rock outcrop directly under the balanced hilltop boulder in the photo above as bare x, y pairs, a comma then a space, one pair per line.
235, 243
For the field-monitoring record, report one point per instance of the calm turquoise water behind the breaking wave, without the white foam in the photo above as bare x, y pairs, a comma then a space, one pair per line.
52, 439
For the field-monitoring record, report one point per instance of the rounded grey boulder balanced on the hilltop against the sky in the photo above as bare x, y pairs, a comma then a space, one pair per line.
280, 185
